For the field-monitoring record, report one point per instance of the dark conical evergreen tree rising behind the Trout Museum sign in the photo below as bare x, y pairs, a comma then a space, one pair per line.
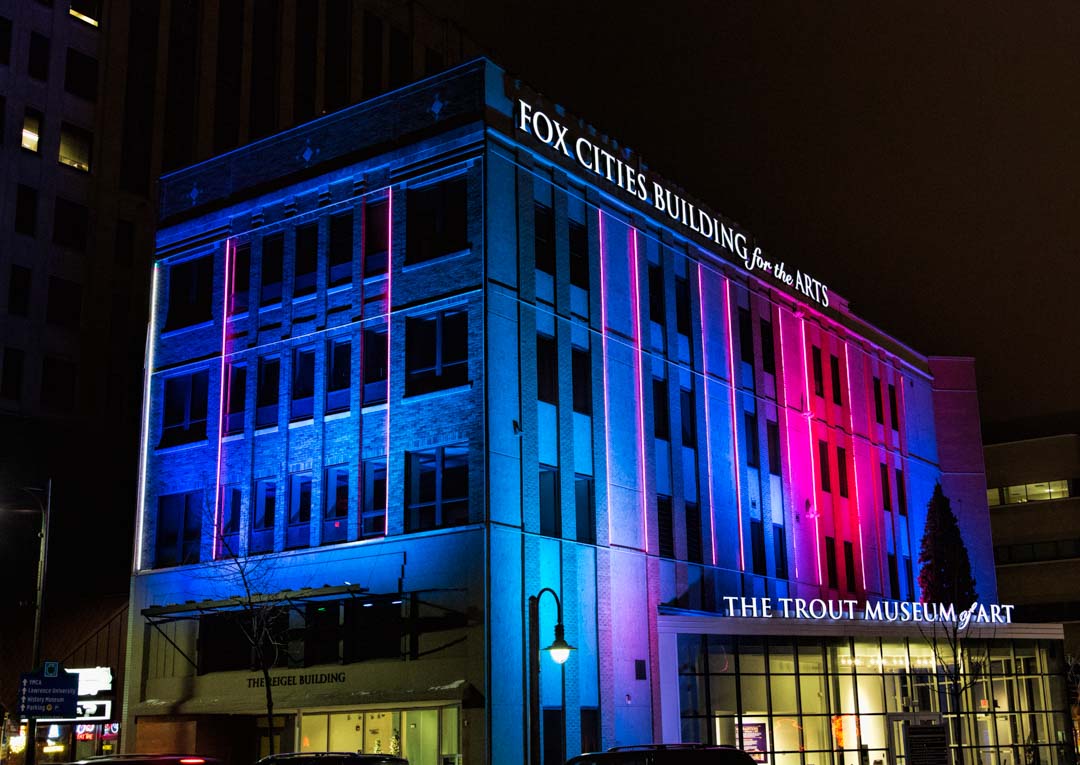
946, 573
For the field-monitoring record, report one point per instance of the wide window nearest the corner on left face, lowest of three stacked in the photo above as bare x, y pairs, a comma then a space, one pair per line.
437, 488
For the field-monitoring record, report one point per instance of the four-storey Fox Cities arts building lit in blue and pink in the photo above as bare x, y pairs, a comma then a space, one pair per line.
415, 363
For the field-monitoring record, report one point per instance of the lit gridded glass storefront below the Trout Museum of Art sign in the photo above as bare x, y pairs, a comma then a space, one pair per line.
833, 702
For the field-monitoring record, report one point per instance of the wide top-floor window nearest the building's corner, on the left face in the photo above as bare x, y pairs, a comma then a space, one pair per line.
438, 221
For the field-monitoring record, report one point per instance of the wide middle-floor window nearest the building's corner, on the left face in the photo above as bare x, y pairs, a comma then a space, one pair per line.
437, 352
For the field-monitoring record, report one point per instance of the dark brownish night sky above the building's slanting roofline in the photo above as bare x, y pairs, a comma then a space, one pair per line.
921, 159
